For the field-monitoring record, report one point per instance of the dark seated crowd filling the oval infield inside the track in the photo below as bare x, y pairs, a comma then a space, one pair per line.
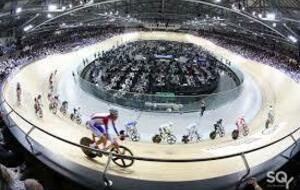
148, 67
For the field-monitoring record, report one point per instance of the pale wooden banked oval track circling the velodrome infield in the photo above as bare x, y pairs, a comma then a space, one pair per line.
276, 89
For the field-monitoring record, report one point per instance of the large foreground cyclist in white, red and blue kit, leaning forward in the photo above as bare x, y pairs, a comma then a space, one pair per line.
99, 124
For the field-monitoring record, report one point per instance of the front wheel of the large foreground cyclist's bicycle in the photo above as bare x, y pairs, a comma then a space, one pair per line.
122, 150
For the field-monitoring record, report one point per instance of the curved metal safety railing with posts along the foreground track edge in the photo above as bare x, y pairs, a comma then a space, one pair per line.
110, 154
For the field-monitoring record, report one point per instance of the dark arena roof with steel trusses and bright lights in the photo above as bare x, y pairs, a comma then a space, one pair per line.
279, 19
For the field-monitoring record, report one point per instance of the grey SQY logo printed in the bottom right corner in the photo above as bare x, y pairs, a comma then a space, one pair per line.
280, 177
